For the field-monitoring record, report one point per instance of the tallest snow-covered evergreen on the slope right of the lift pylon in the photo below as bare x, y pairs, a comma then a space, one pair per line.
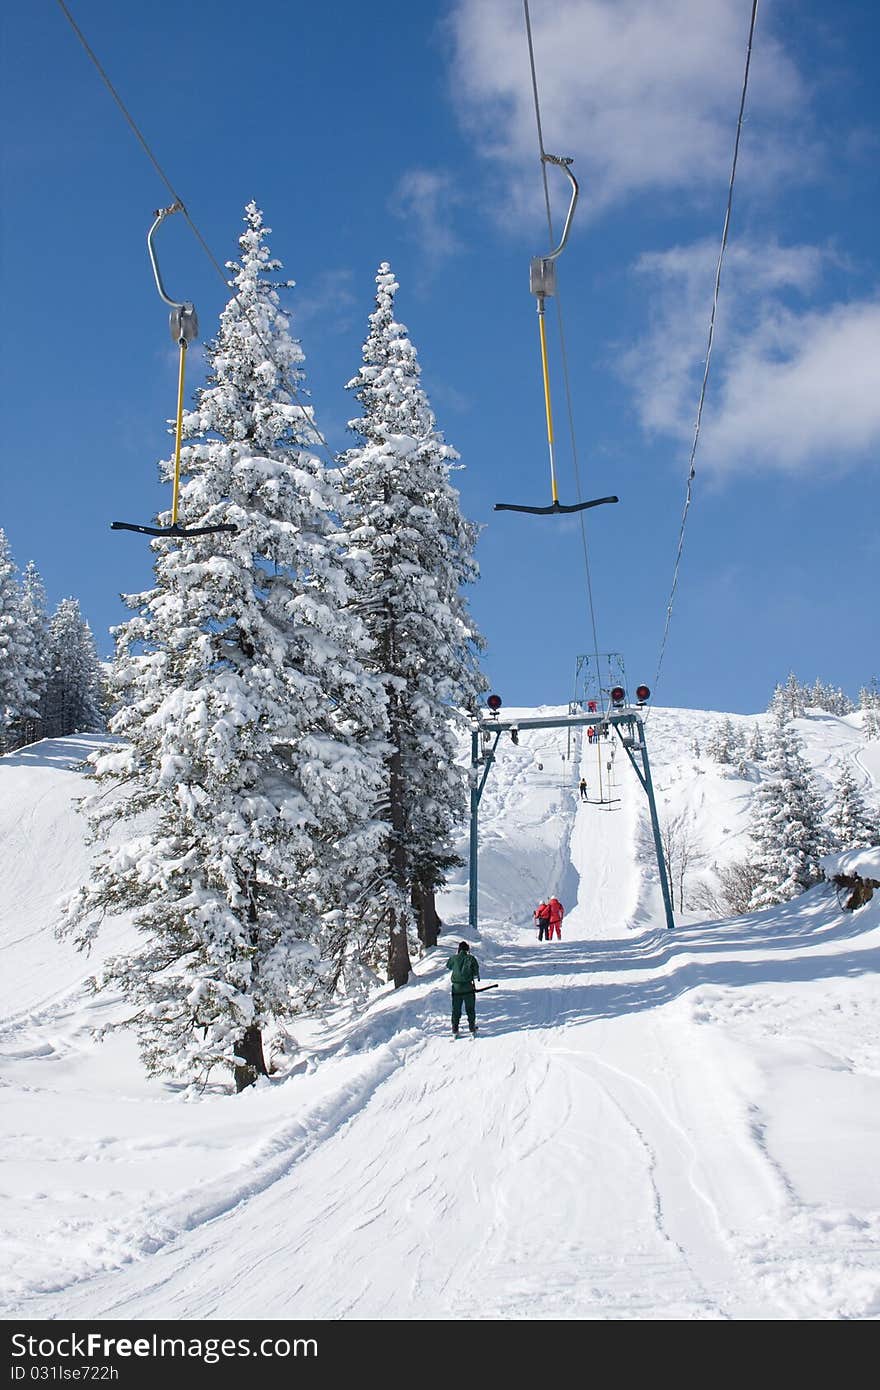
788, 822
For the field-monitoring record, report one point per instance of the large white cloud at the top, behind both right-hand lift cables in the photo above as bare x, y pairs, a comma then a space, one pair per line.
644, 94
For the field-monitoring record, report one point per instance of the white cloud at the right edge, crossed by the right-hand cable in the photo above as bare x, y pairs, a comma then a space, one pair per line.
790, 389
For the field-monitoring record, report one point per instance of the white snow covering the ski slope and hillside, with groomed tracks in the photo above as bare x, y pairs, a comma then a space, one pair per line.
651, 1125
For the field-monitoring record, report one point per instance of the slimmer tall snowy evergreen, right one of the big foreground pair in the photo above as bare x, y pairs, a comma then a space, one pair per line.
405, 516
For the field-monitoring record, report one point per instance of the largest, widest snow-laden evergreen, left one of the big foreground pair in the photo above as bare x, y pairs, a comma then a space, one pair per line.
252, 735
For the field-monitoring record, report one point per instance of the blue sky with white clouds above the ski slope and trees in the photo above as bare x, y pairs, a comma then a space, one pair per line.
407, 133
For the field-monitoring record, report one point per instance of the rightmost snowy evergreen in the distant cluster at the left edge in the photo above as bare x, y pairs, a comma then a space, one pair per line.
73, 694
